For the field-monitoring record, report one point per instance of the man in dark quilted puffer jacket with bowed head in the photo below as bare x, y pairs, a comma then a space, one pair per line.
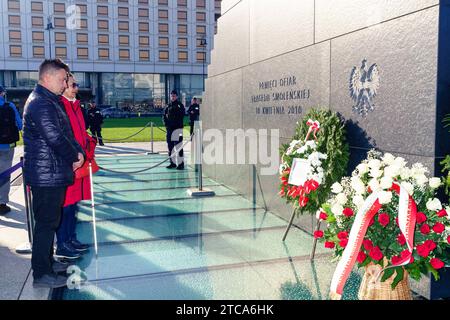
51, 154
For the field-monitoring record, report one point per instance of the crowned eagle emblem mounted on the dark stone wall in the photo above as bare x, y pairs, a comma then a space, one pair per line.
363, 87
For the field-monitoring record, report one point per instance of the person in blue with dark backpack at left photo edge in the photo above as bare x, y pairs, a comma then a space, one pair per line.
10, 125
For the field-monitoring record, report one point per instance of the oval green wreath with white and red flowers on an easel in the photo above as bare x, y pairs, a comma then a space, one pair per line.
319, 142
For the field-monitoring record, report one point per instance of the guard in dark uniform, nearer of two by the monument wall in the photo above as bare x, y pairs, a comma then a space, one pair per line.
173, 120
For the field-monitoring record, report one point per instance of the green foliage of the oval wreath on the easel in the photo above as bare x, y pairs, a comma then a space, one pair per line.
331, 141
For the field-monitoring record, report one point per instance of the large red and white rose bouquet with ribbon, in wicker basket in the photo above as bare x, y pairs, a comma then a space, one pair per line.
386, 214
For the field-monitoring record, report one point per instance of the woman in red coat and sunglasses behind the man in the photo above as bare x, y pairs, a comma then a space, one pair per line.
68, 245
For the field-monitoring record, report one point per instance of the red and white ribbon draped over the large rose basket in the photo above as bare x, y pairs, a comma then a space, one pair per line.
406, 221
